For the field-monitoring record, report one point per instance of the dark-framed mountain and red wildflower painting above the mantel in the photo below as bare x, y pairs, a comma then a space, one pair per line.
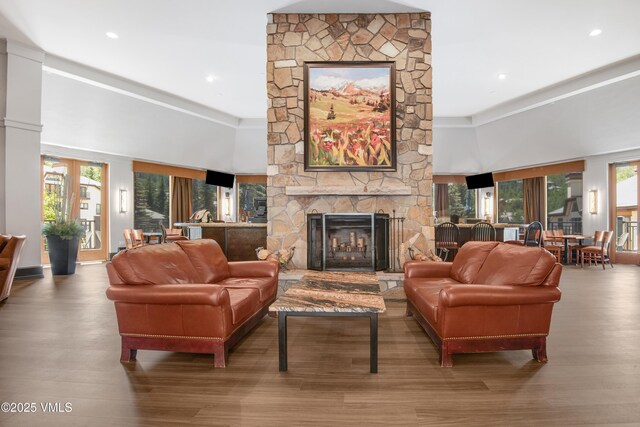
349, 116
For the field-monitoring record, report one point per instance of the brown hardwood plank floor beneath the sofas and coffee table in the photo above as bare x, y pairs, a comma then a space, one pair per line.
60, 343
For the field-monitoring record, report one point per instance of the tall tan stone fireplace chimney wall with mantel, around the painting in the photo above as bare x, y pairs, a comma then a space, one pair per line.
293, 192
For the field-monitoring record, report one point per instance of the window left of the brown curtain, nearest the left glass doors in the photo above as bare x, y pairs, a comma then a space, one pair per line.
151, 201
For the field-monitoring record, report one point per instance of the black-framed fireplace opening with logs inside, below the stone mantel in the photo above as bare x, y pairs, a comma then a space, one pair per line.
348, 242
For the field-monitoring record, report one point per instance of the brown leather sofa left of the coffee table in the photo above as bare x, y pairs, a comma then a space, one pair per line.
185, 296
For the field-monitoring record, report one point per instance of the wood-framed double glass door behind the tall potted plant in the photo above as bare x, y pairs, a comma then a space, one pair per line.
78, 189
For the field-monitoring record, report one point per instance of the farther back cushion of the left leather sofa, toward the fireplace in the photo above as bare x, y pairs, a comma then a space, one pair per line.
207, 257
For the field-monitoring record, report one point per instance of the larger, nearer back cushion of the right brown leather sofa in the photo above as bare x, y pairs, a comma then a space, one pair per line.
516, 265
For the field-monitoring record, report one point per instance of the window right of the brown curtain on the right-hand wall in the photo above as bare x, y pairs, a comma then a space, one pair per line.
564, 202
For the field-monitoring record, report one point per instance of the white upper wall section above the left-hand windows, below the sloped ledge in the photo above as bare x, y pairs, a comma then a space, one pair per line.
88, 117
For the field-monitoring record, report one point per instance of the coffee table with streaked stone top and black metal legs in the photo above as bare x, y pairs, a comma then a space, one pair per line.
329, 294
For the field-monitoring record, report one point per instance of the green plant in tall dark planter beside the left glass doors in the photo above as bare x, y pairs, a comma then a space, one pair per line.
62, 232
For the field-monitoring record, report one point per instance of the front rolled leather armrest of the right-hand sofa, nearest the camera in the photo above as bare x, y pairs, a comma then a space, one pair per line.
465, 295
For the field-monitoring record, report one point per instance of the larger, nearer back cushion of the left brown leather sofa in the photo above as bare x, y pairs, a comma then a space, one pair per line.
154, 265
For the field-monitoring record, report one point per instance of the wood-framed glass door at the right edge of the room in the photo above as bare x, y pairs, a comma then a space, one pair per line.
625, 220
